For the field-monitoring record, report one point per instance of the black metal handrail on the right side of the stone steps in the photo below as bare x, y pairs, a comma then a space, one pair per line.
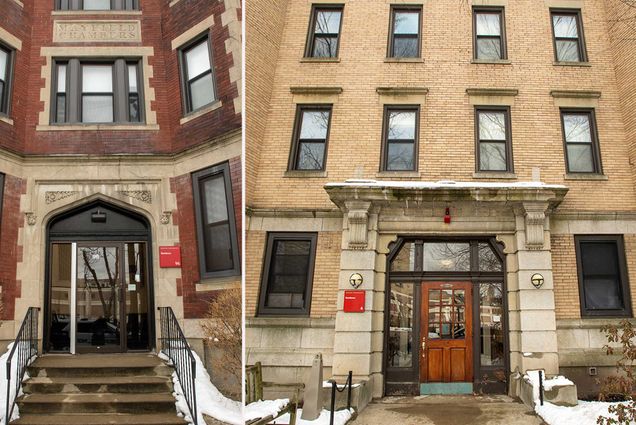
176, 347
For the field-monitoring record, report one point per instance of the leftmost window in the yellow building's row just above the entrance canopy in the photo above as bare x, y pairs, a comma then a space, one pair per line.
311, 133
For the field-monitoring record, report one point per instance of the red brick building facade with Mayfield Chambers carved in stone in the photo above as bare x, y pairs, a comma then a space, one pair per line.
120, 144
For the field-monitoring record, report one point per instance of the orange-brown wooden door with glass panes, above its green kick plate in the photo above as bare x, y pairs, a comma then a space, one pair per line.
446, 336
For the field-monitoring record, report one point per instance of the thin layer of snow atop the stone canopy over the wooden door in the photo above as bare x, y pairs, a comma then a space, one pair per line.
442, 184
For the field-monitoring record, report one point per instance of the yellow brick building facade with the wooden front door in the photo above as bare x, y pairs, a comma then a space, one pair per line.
440, 194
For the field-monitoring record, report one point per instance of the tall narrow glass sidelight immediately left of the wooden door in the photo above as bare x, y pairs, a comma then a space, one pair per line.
401, 325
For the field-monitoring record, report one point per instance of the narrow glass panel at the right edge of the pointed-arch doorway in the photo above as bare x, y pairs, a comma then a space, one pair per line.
136, 291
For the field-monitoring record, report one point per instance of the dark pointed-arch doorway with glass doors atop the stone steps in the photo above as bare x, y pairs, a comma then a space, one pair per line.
98, 291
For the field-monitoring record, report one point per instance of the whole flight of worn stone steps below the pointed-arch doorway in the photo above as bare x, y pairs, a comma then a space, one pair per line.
98, 389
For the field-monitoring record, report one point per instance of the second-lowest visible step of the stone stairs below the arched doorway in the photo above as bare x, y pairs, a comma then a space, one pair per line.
97, 403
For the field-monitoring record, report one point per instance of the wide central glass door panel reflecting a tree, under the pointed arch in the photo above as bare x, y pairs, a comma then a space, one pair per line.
98, 298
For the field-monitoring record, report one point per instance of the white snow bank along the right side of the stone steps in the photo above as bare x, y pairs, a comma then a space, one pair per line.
209, 399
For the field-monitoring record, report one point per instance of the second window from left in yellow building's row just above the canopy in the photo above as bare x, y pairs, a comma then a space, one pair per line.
399, 150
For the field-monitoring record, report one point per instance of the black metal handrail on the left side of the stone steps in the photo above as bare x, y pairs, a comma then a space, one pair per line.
24, 351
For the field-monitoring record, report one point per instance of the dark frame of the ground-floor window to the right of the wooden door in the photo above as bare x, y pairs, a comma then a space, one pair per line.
622, 272
